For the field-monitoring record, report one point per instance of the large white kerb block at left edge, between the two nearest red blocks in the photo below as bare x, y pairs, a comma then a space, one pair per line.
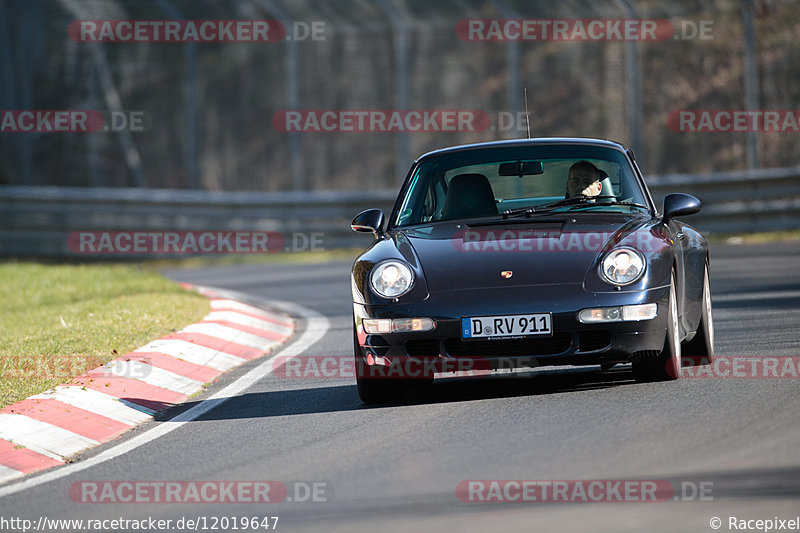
41, 437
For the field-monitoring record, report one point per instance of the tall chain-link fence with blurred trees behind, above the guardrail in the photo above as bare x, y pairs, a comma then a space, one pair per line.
213, 110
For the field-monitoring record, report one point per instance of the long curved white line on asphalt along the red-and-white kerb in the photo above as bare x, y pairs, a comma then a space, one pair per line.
316, 327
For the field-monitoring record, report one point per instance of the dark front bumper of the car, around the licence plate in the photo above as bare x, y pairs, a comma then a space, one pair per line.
571, 342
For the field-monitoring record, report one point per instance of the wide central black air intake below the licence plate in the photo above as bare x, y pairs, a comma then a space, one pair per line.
509, 348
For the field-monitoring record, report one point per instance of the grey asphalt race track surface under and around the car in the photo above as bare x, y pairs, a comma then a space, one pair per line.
396, 468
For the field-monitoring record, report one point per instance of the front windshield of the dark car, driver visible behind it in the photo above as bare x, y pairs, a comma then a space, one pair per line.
496, 181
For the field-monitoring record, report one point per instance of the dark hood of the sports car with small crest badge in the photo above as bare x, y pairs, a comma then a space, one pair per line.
541, 252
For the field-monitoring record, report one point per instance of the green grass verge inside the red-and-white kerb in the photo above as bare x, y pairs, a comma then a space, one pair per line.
58, 321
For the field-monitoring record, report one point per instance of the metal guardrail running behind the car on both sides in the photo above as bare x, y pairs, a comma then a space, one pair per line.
35, 221
